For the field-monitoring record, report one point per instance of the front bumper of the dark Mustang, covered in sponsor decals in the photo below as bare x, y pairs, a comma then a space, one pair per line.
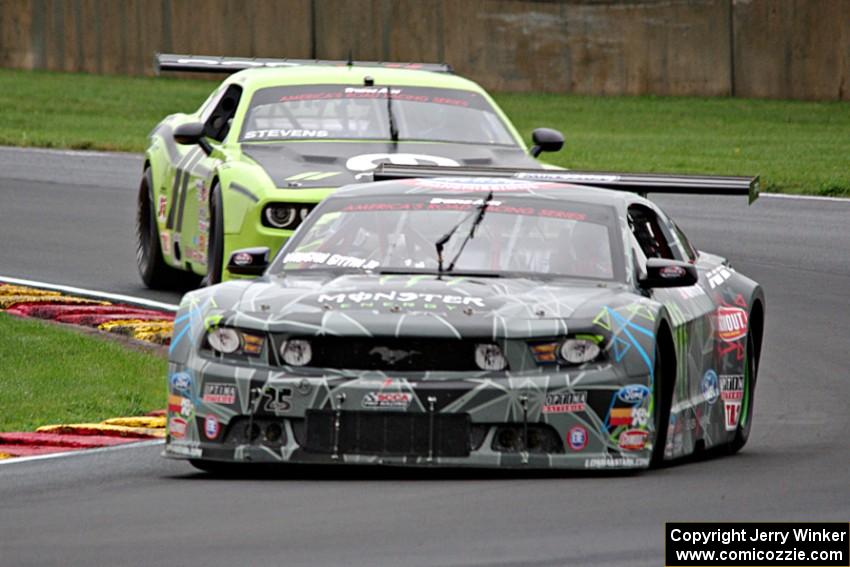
555, 419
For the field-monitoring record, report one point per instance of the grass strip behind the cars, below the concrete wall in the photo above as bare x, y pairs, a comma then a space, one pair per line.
795, 146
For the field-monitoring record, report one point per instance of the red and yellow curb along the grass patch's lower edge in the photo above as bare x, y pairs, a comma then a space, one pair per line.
63, 438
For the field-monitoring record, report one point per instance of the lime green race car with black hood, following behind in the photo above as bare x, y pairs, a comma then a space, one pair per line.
276, 137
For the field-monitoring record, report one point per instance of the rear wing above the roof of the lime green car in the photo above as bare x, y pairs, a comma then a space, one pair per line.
227, 65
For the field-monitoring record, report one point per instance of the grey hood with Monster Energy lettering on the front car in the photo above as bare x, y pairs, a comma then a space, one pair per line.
414, 305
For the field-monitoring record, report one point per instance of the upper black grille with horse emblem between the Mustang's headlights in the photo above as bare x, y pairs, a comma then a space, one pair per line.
376, 353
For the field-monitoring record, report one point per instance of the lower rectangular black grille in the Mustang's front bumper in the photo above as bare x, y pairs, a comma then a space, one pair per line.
388, 433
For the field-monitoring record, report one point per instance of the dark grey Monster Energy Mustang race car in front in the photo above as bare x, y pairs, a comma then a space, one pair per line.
493, 318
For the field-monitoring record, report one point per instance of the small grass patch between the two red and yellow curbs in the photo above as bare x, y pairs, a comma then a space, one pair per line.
57, 375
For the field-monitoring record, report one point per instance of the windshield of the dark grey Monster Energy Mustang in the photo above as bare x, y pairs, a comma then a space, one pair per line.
517, 236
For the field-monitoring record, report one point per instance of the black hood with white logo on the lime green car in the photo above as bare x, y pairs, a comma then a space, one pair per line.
333, 164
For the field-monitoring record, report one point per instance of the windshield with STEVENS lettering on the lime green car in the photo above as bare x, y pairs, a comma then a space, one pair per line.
359, 113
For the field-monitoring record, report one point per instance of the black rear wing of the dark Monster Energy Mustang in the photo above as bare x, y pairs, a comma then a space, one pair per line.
640, 183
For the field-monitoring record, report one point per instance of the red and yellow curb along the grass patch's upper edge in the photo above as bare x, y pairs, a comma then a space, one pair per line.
143, 324
